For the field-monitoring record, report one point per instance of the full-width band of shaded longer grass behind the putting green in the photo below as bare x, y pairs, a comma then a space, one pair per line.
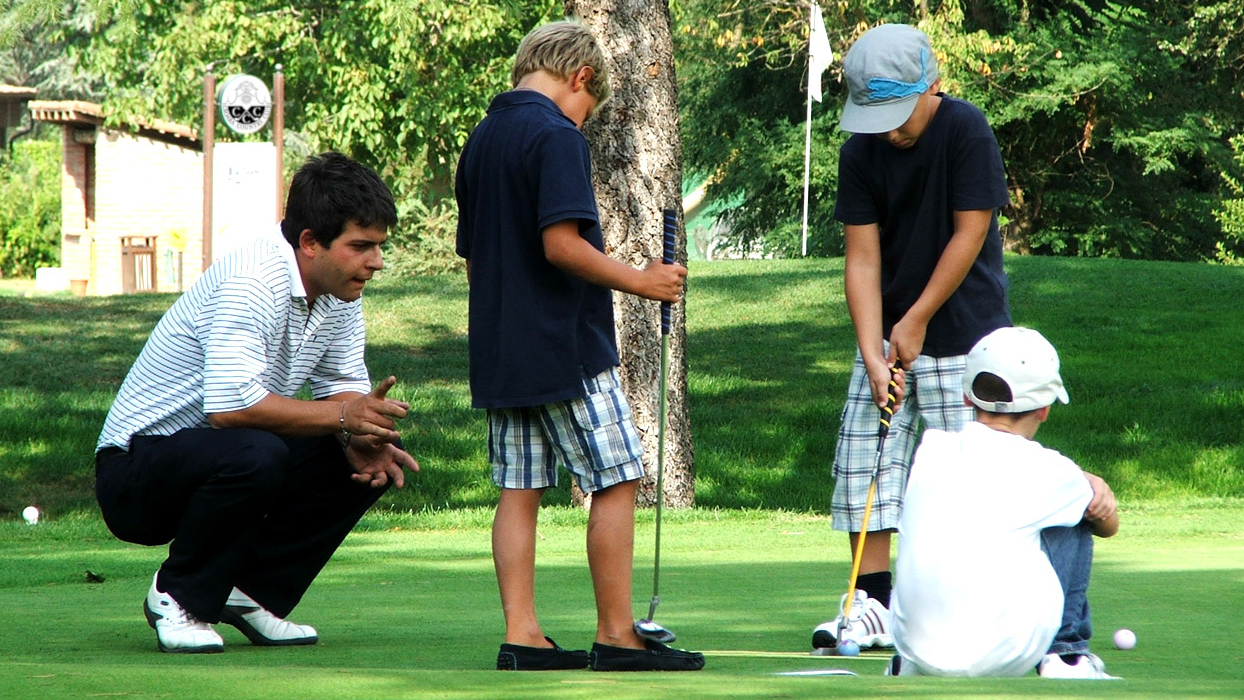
1149, 350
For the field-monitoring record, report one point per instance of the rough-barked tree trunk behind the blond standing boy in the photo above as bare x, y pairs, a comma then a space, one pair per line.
638, 170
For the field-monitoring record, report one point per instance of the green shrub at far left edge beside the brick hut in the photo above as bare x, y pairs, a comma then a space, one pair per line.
30, 208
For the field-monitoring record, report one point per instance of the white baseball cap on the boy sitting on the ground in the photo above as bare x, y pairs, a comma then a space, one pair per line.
1024, 360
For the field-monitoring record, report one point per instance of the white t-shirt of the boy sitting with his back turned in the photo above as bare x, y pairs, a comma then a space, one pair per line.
975, 594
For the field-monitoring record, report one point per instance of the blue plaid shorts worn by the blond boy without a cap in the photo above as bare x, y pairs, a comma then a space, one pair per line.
593, 437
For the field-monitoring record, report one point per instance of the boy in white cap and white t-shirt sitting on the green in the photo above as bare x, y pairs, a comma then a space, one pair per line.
996, 539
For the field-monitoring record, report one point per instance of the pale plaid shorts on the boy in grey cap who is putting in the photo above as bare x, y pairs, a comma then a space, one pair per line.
934, 398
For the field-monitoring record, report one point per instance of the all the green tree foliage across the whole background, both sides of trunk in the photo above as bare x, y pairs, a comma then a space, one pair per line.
1115, 116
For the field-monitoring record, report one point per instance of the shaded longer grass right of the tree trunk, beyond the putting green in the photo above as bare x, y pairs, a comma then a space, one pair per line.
1149, 356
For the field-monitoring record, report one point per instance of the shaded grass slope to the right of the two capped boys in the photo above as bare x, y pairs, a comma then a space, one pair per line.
1158, 390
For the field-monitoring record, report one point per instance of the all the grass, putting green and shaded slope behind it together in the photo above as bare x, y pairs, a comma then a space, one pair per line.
409, 607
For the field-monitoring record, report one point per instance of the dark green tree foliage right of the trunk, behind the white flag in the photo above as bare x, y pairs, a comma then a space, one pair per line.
1098, 106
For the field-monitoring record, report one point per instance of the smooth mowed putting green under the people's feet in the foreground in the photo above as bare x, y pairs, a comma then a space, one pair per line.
409, 610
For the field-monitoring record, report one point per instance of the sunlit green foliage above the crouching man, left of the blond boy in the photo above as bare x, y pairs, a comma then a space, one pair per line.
395, 84
